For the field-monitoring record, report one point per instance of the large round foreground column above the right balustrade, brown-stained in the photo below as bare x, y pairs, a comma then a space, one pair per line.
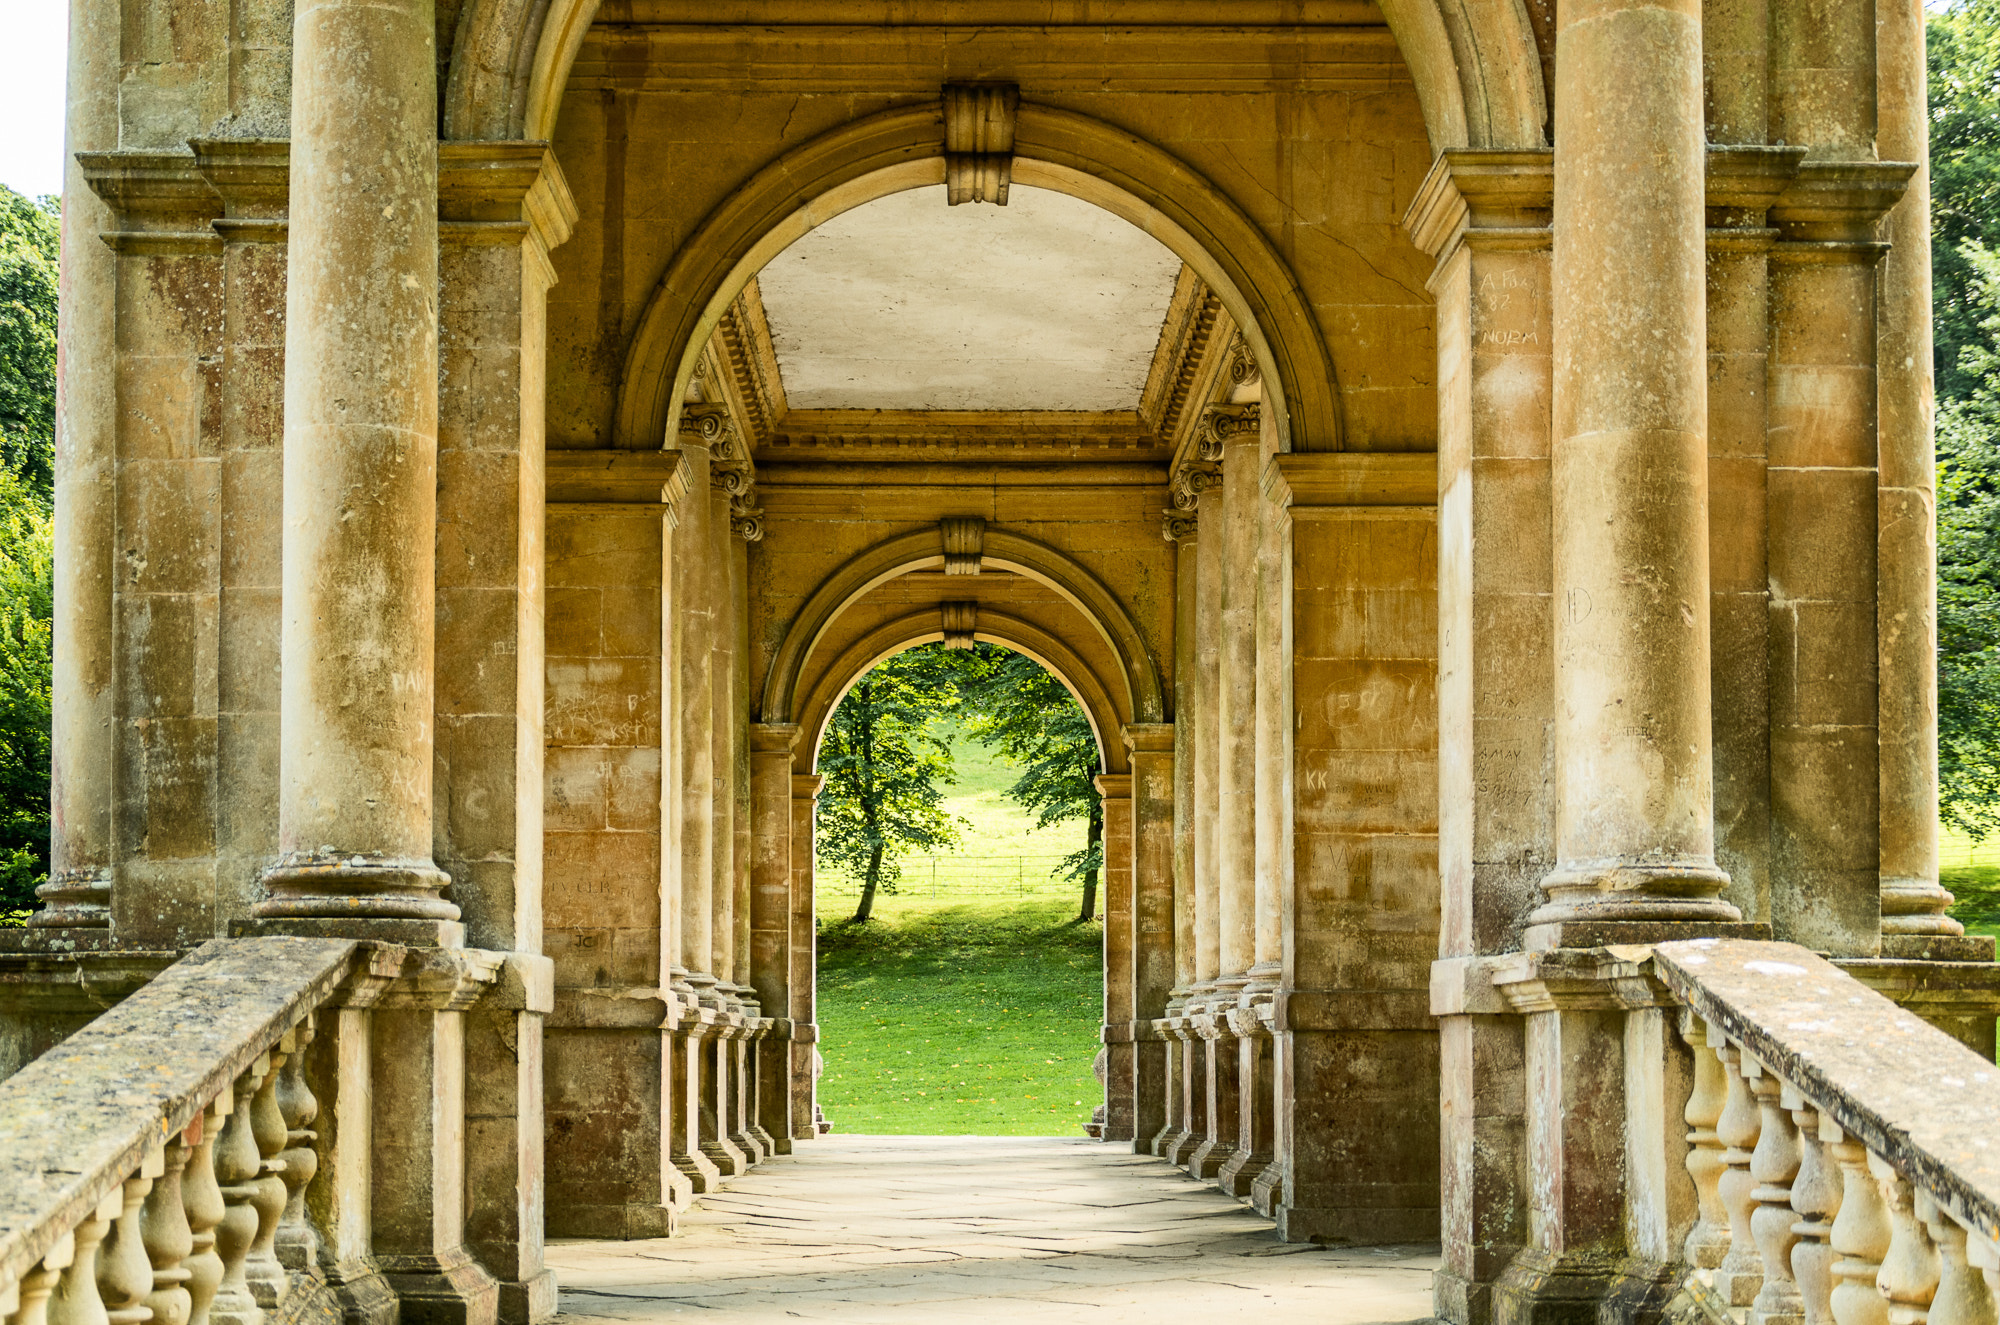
1629, 475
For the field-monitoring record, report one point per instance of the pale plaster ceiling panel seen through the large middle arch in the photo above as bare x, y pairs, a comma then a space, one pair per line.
913, 305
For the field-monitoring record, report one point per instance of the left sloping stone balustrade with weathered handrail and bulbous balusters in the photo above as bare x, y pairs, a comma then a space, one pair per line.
149, 1162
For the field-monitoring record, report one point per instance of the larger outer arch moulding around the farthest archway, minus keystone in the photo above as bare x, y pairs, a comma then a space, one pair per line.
923, 549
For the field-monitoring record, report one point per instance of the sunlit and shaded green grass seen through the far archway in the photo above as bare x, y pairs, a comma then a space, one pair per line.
965, 1014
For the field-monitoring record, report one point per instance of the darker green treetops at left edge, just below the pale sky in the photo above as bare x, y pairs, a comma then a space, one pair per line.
29, 233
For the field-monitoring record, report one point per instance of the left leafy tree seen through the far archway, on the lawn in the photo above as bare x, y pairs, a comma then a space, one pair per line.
887, 770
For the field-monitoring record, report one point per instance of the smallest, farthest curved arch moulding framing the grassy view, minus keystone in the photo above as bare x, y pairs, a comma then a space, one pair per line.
831, 684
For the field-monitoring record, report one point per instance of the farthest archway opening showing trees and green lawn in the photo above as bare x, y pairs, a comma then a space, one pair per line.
961, 850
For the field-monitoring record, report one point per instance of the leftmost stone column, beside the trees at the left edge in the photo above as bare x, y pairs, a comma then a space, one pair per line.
87, 431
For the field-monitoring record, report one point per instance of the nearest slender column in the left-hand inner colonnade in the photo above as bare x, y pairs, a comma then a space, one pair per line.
695, 718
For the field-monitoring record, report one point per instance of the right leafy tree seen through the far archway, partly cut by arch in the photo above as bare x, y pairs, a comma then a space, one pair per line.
1017, 706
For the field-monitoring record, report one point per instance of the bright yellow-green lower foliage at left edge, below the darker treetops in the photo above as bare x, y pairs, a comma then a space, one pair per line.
27, 589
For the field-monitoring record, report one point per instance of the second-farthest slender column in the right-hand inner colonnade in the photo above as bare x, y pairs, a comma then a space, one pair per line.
1209, 569
